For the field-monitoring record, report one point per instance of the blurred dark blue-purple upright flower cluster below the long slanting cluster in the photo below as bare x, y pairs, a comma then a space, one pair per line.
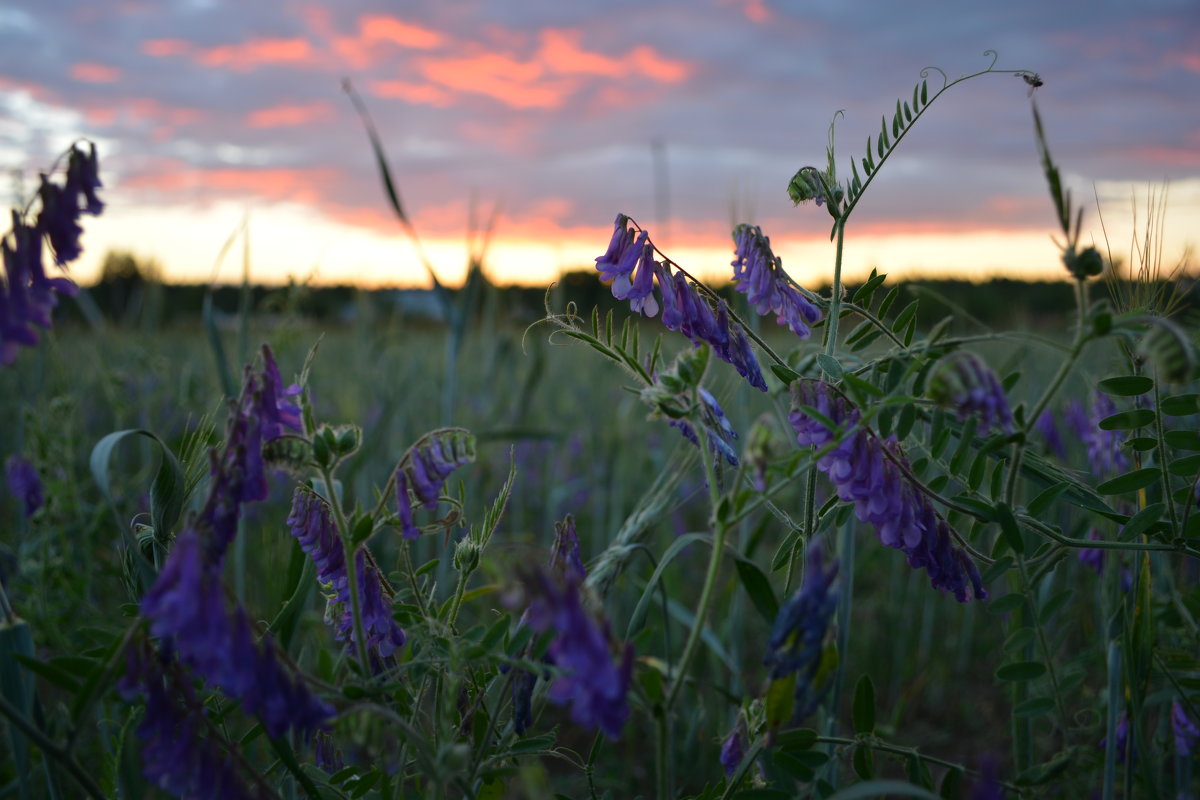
797, 637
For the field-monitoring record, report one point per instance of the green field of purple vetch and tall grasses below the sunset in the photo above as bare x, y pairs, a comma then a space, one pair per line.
742, 542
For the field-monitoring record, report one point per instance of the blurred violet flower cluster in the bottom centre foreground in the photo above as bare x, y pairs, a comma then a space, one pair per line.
591, 683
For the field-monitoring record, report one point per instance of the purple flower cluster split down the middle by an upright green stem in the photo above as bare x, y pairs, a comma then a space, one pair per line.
314, 527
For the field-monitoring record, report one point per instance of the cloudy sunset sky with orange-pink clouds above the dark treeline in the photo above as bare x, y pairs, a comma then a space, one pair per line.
550, 117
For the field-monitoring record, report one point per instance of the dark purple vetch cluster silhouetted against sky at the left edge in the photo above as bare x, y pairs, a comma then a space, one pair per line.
28, 296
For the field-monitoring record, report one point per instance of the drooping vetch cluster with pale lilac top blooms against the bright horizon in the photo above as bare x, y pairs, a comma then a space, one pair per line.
631, 266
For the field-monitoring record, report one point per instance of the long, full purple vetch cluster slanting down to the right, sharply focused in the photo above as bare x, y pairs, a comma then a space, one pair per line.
868, 473
